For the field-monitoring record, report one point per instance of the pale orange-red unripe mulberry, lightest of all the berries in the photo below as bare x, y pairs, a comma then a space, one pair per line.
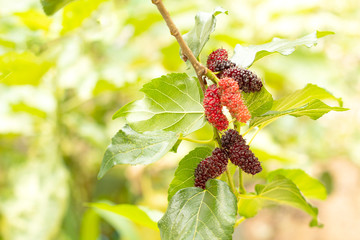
230, 97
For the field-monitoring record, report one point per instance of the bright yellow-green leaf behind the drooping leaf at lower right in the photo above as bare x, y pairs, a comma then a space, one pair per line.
309, 186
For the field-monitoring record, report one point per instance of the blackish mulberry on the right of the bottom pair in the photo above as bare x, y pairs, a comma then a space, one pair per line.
239, 152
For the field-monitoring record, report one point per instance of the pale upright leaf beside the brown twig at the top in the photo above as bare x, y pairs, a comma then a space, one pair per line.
204, 25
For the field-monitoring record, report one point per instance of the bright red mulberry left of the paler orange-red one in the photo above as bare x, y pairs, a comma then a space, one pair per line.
213, 108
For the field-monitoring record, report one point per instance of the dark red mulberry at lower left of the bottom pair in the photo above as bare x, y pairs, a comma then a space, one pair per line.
211, 167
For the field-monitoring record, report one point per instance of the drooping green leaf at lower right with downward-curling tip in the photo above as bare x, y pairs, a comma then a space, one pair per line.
281, 190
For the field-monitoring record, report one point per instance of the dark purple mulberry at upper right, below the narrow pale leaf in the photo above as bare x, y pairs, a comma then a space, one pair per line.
247, 80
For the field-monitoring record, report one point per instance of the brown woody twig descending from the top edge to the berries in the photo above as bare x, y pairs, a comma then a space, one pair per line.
199, 68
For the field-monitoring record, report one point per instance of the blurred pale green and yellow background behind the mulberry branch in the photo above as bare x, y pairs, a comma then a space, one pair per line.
63, 77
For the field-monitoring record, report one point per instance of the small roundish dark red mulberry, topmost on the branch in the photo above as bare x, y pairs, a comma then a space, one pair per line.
218, 60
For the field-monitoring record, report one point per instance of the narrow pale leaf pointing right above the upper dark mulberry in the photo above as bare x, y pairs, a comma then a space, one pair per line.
246, 56
